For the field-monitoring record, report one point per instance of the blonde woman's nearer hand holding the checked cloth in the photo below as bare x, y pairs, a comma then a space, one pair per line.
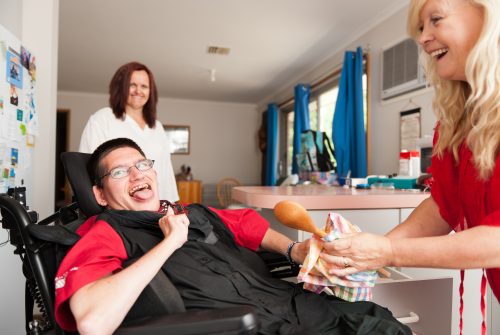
358, 252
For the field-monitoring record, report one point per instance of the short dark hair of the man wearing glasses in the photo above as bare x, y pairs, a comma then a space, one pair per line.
94, 166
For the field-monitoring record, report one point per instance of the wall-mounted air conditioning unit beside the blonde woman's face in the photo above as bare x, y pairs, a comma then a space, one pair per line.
401, 70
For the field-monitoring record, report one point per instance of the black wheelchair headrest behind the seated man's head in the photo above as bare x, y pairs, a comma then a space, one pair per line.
75, 166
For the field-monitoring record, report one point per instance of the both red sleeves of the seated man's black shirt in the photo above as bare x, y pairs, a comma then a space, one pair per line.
100, 252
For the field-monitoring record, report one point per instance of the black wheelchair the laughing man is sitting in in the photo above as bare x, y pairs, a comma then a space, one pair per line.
41, 245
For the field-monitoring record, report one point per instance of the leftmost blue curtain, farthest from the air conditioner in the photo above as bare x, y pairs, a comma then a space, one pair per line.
272, 145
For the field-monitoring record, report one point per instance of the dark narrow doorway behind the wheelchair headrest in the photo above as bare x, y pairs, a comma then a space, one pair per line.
62, 191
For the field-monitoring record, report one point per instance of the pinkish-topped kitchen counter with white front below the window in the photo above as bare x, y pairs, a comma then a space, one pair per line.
373, 210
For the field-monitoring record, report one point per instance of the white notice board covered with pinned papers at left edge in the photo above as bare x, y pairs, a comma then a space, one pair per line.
18, 111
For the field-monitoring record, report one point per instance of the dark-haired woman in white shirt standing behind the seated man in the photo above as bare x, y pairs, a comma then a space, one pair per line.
132, 113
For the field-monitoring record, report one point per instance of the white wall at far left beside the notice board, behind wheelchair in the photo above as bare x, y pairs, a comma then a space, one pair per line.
35, 23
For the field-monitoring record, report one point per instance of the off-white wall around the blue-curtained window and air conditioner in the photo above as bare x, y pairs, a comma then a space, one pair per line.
384, 114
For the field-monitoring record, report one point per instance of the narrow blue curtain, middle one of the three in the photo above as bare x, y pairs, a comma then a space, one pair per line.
301, 120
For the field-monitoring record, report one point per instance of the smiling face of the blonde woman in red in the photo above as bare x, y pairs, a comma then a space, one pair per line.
450, 29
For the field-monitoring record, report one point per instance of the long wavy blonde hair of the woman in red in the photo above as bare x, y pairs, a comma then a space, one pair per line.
469, 110
